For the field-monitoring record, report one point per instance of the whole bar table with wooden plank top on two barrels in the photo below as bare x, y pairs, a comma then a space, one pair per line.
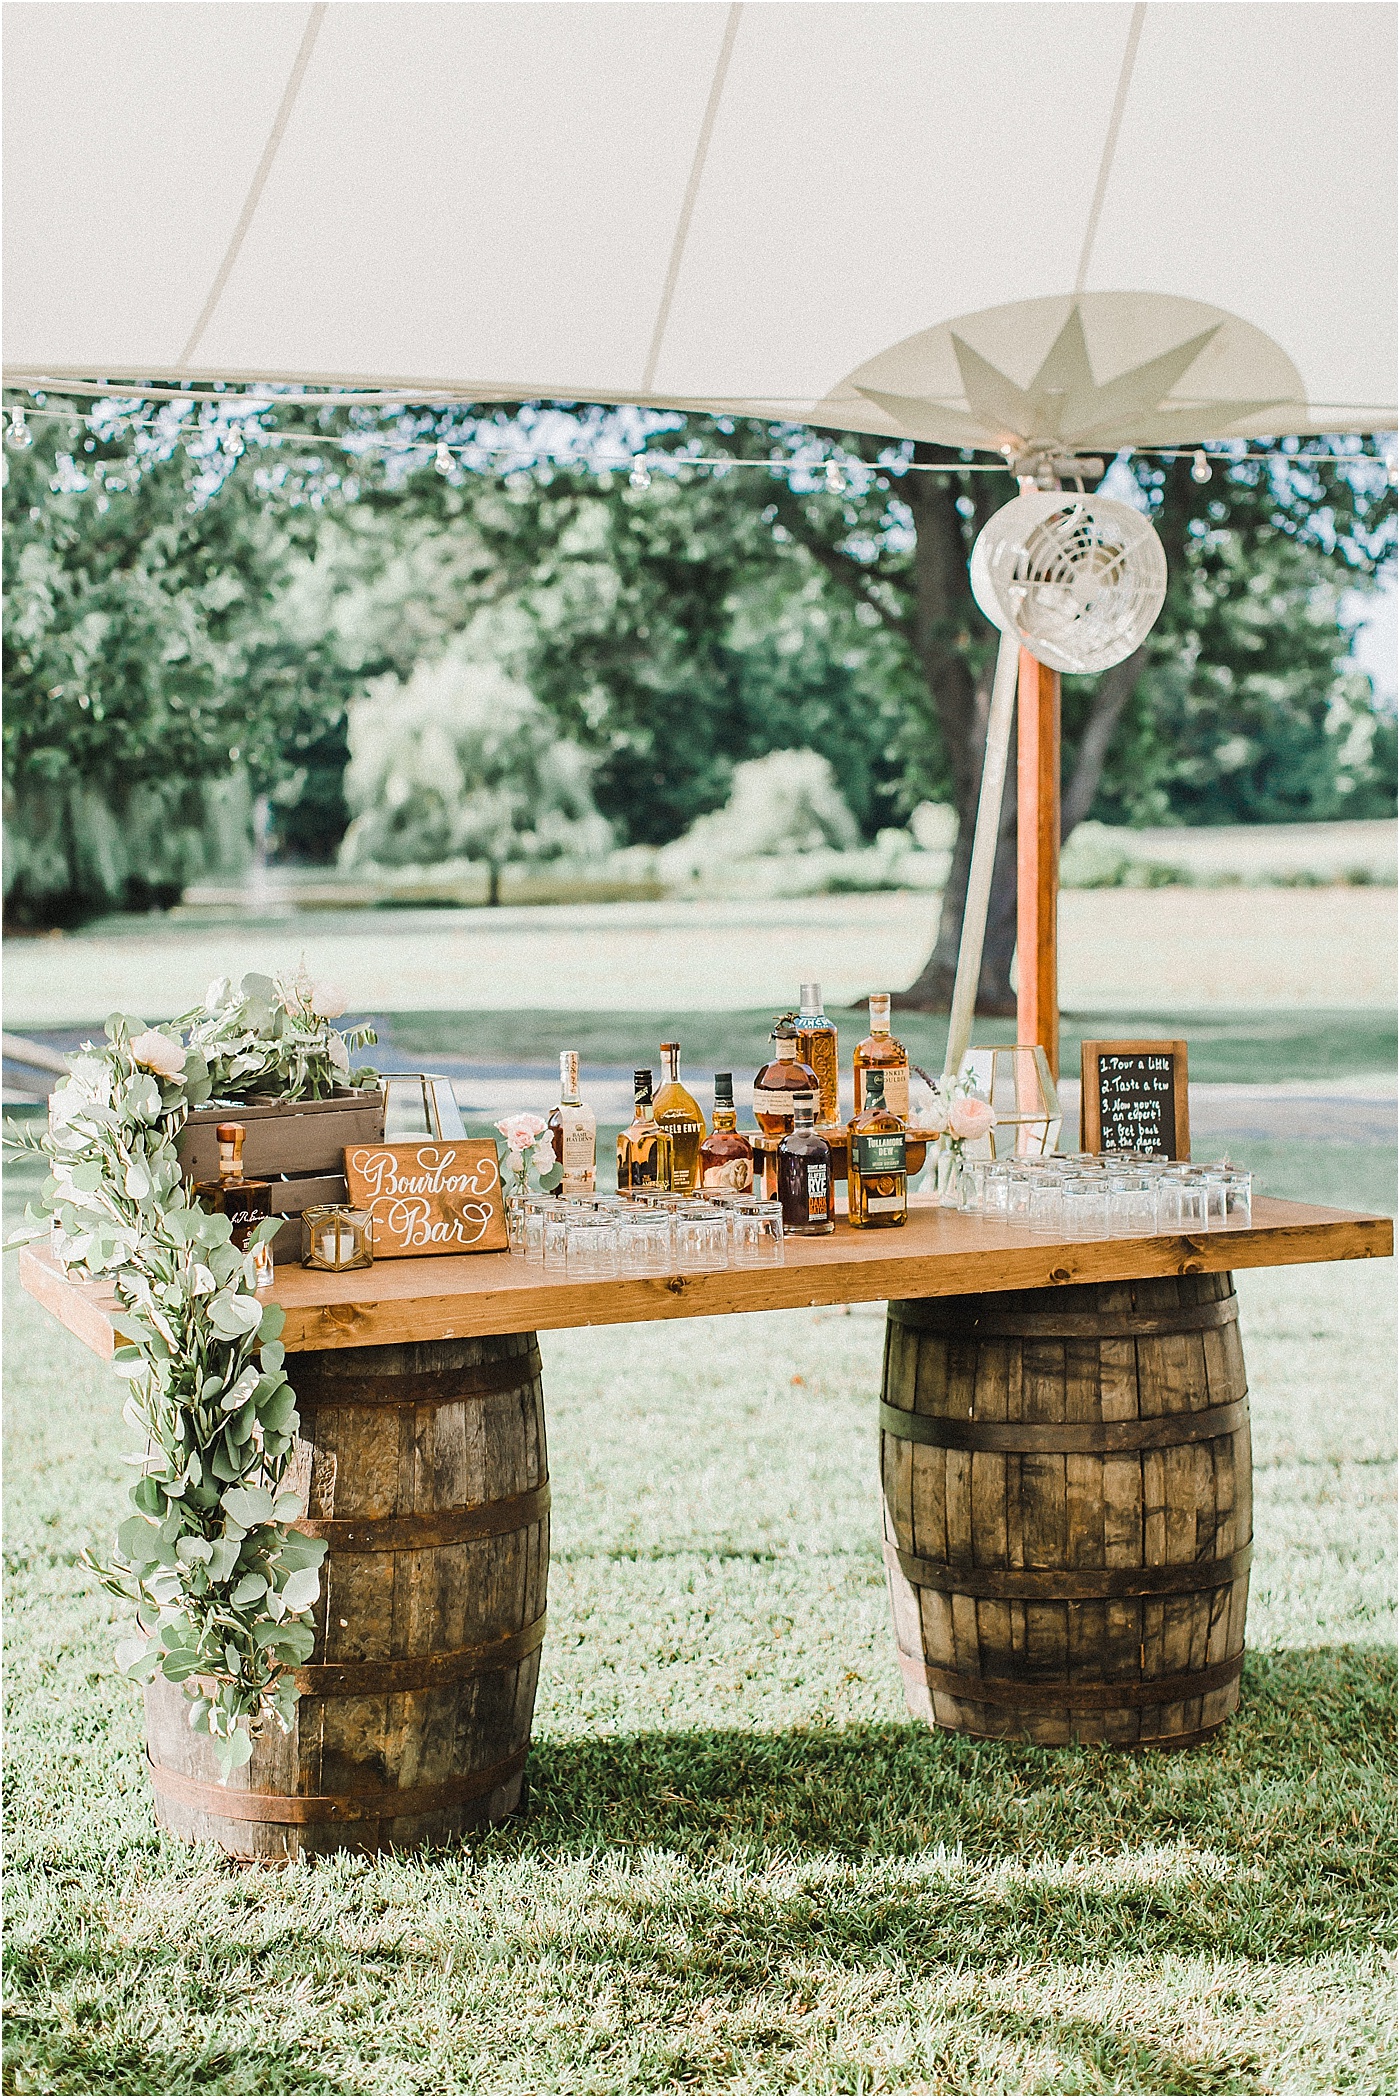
1065, 1472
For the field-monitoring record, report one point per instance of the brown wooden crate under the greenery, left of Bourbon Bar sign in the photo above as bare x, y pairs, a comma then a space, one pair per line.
295, 1144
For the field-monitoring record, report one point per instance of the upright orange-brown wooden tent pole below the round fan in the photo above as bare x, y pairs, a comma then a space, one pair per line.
1038, 857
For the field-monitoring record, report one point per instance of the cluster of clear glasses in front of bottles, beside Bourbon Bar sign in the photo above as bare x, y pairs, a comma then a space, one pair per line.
652, 1235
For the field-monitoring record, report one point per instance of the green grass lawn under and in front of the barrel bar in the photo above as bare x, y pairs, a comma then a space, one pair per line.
744, 1868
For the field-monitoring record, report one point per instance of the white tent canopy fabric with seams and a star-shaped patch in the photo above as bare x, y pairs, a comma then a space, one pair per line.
958, 221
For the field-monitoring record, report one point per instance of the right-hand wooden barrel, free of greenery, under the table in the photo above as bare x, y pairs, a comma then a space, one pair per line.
1067, 1510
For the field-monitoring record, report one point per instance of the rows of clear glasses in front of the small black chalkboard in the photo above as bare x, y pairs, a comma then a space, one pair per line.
1118, 1195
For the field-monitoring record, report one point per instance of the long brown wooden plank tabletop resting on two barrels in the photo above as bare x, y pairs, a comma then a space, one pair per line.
937, 1254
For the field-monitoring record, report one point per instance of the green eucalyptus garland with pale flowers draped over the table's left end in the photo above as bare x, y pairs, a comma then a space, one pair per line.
221, 1585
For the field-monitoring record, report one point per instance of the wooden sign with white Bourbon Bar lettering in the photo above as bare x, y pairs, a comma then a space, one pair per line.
429, 1197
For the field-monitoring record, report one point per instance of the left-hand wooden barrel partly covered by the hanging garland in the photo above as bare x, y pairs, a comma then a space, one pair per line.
425, 1470
